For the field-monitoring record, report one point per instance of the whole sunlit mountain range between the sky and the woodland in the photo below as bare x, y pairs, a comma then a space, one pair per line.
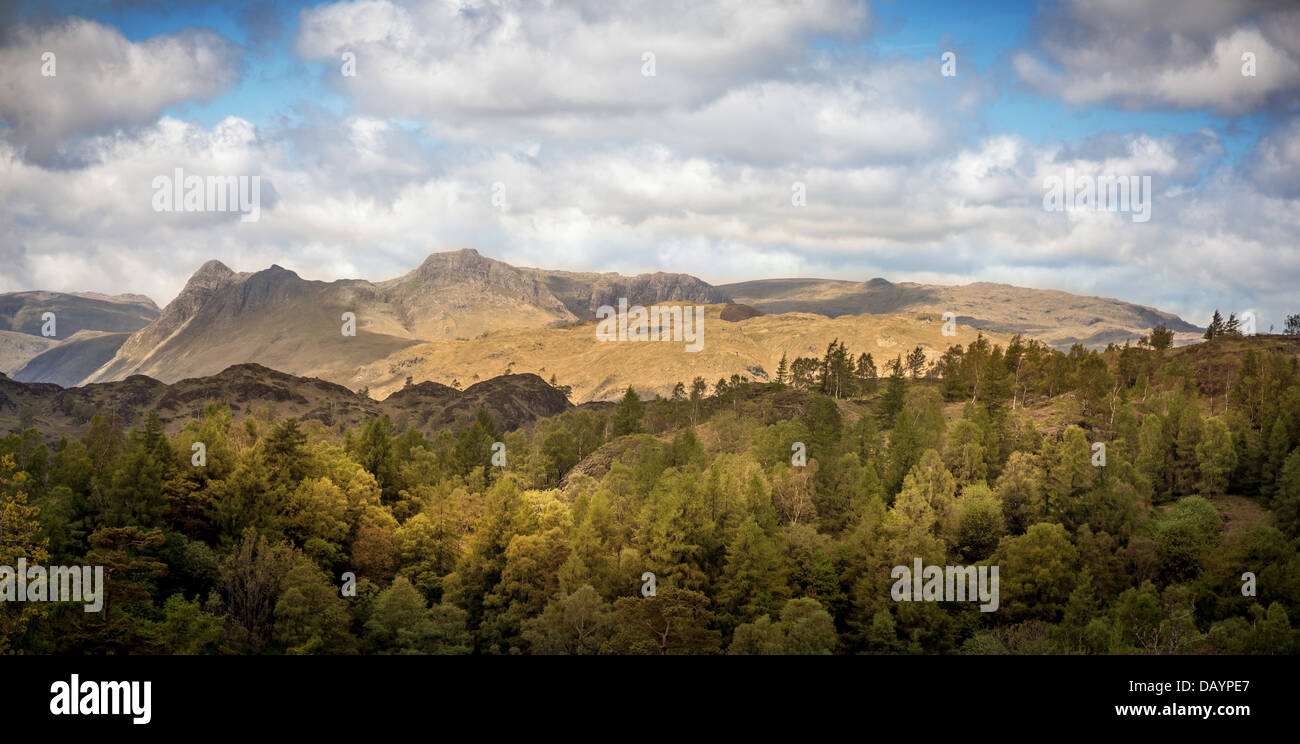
462, 318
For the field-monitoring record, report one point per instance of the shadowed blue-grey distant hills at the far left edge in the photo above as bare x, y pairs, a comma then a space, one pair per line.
76, 315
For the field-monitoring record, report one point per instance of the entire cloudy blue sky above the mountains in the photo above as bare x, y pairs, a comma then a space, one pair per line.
909, 174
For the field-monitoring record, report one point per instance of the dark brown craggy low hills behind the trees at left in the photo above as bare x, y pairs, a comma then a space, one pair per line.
513, 401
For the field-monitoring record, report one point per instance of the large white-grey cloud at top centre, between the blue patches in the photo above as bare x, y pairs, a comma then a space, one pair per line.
519, 73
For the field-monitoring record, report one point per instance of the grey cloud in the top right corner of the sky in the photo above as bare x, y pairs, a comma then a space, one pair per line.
1145, 54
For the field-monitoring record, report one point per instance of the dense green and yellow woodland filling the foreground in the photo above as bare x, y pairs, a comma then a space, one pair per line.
983, 456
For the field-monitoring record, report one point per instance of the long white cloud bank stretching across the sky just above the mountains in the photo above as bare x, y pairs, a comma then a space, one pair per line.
370, 204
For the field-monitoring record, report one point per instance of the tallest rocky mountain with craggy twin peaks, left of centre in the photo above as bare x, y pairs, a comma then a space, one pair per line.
278, 319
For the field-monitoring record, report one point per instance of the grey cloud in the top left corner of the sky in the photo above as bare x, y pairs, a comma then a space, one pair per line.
102, 80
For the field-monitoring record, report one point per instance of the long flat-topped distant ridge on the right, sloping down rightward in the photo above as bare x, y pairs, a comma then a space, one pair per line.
1056, 318
